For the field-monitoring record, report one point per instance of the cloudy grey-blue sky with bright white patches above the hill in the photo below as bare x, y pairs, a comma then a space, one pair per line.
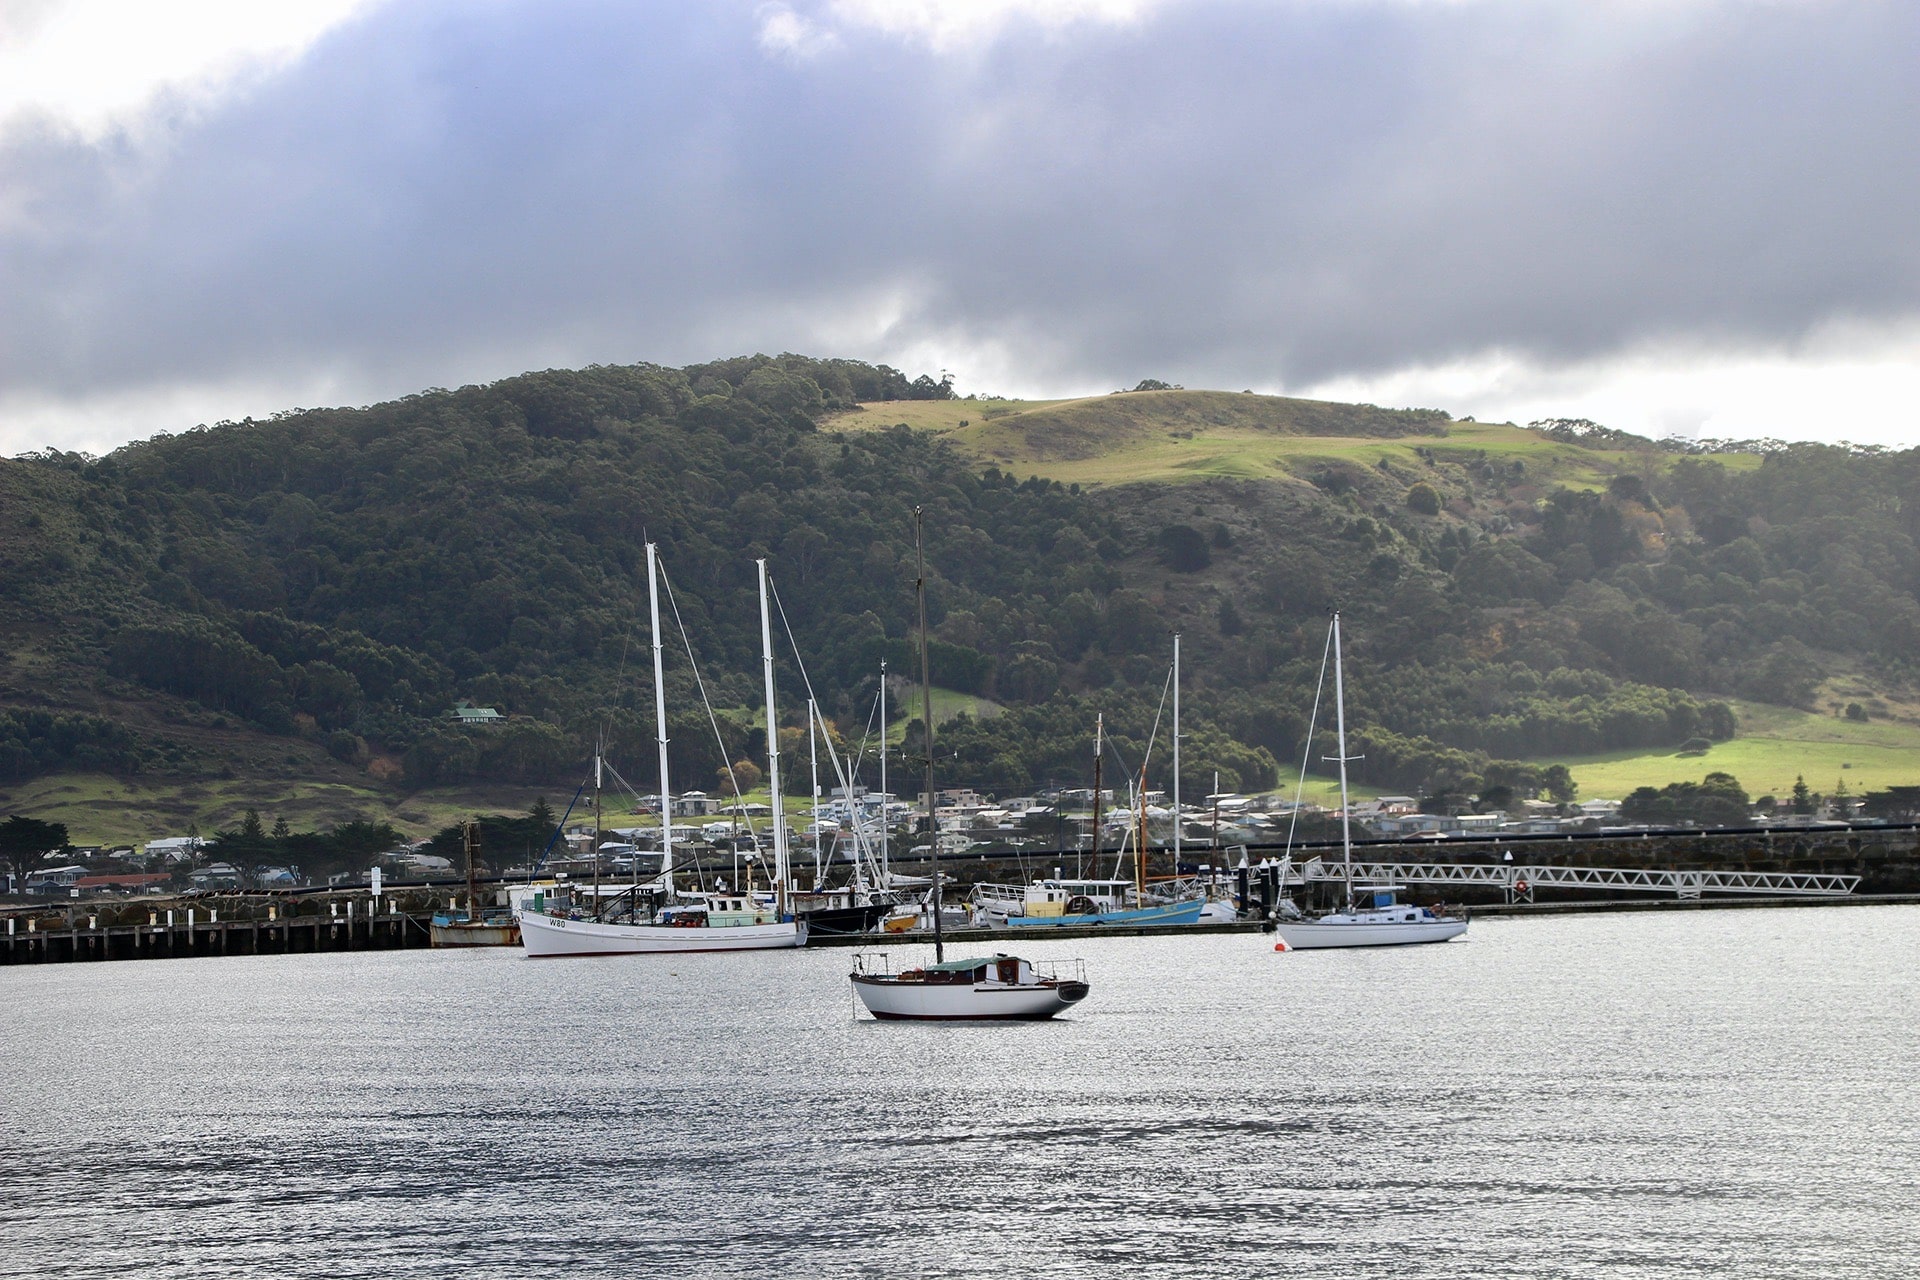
1679, 218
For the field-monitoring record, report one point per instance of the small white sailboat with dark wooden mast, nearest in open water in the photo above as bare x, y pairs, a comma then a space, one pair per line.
986, 989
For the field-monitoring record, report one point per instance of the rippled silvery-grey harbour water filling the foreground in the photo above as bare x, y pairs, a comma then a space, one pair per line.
1704, 1093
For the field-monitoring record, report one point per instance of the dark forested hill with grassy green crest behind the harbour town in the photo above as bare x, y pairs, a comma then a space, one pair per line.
254, 594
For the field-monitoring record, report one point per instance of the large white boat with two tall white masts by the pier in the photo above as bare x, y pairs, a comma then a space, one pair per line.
713, 924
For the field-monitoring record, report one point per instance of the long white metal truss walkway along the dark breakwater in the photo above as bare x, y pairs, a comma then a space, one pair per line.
1522, 880
